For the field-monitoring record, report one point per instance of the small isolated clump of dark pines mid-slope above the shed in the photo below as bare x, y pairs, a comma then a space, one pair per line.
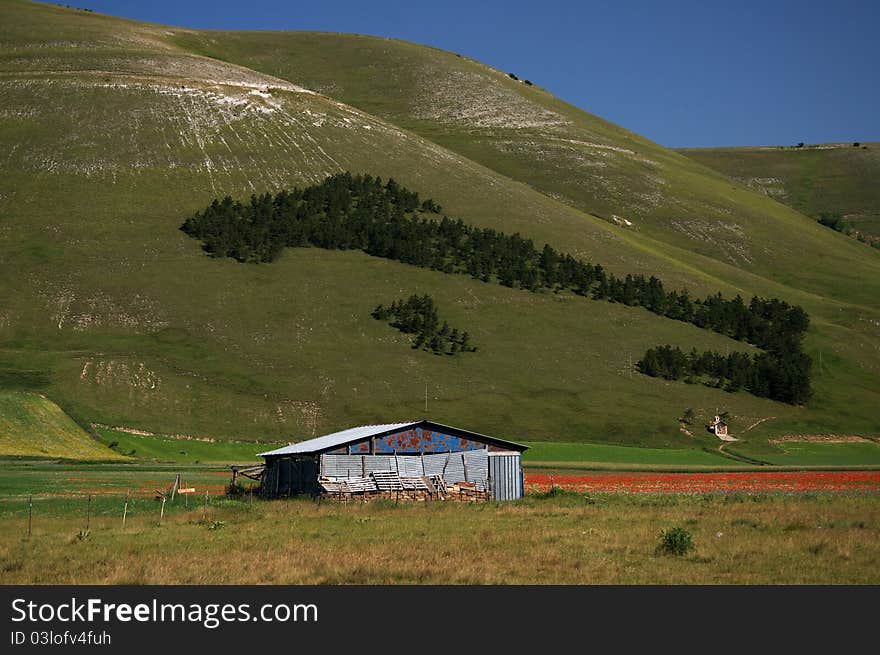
417, 315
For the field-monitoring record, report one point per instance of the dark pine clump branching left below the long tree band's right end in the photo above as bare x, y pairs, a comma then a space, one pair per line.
781, 377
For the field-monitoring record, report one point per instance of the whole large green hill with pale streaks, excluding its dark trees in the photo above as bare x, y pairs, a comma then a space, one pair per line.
114, 131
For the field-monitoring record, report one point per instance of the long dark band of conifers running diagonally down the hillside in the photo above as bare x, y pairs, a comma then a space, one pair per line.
384, 219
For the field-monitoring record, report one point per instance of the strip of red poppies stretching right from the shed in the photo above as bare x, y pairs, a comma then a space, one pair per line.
738, 482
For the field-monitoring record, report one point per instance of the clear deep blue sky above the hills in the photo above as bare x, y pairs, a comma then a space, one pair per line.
681, 73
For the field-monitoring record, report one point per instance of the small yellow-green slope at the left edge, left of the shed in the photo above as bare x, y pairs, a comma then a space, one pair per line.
33, 426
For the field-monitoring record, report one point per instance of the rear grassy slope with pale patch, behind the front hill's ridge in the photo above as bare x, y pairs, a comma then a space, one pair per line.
667, 200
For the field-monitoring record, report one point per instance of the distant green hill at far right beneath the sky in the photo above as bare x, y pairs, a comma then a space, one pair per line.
836, 178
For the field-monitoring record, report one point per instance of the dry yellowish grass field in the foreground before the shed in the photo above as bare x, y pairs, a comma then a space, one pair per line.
567, 539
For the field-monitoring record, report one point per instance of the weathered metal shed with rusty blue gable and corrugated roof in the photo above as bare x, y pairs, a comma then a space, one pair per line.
417, 456
